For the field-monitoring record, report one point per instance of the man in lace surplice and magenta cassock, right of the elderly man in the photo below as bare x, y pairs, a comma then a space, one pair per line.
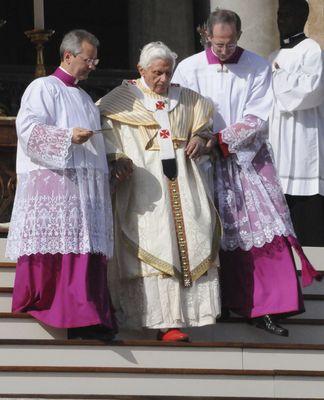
258, 275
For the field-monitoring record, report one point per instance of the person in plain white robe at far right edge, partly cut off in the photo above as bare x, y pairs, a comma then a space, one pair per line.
297, 121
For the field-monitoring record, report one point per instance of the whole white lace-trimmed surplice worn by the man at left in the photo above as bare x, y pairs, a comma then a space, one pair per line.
62, 202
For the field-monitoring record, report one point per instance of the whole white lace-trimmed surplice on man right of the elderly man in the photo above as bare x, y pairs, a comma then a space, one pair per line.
248, 192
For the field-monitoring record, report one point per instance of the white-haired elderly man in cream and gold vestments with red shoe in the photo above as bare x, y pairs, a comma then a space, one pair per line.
167, 229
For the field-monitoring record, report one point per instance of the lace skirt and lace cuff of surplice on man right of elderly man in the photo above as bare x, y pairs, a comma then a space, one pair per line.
250, 199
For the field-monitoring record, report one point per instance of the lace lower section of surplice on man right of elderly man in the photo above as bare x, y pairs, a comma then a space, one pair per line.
252, 206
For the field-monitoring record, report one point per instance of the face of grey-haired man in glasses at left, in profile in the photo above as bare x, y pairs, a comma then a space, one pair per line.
82, 64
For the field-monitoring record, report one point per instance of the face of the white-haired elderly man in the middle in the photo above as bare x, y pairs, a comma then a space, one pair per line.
158, 75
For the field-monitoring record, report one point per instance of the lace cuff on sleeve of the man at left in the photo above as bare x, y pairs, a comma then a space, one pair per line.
49, 146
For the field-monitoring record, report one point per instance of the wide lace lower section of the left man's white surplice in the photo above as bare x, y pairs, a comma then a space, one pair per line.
61, 211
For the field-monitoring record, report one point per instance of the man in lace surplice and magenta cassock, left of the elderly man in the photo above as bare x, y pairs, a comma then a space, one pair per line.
61, 226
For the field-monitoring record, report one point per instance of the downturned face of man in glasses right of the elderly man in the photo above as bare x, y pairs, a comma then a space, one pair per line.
224, 40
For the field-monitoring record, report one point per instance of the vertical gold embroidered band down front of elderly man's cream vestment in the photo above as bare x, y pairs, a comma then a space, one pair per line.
180, 232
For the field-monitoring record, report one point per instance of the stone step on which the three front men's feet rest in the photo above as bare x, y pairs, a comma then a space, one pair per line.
22, 326
